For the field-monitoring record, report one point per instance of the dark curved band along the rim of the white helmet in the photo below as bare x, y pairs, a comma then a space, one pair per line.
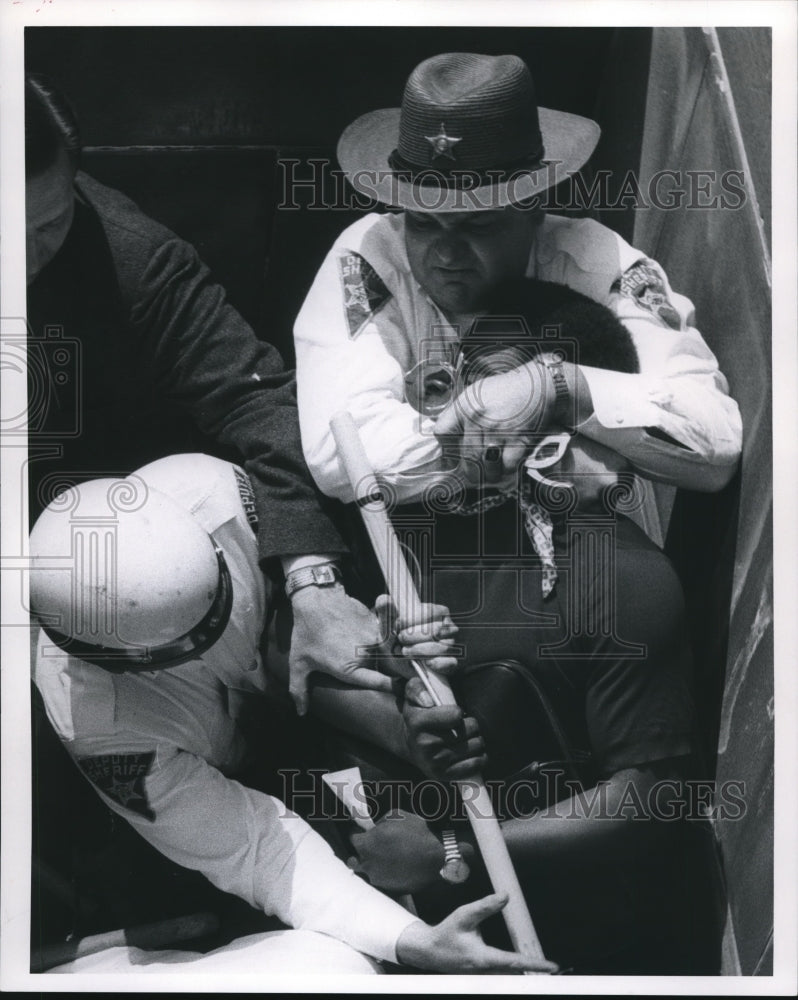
186, 647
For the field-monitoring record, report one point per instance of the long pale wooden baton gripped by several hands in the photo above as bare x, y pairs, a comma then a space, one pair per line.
403, 592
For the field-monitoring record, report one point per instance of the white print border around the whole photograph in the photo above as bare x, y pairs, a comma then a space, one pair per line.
16, 734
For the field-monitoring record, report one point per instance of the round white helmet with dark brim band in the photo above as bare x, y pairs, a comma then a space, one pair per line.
123, 576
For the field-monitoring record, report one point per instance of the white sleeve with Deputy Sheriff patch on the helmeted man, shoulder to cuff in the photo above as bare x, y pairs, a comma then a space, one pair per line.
245, 842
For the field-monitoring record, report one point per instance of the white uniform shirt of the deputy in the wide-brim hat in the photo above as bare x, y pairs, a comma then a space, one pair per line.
365, 322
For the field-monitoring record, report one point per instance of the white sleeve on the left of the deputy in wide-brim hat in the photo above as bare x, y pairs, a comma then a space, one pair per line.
360, 373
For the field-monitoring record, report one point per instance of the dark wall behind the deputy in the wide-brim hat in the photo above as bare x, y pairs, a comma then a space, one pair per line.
192, 122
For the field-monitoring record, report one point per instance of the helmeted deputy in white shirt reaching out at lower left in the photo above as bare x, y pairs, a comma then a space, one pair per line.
152, 606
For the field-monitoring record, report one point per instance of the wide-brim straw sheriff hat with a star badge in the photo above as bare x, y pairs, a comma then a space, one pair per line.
469, 135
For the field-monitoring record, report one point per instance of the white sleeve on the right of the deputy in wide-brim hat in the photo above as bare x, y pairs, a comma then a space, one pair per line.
675, 420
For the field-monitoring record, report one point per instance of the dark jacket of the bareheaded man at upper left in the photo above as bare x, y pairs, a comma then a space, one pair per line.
135, 350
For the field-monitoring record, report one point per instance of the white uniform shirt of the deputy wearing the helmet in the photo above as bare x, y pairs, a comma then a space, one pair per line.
156, 746
